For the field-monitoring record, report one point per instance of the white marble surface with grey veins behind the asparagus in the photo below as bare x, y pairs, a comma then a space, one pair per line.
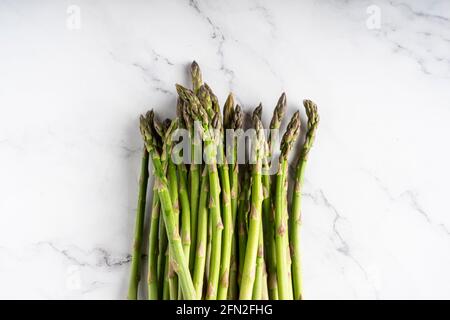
376, 209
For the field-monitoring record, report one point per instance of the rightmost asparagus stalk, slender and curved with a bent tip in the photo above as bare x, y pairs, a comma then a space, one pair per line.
313, 121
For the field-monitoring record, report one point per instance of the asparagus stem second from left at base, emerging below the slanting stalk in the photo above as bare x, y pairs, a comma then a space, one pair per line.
152, 277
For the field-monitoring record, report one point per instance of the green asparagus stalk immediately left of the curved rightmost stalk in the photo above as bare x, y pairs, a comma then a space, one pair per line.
281, 240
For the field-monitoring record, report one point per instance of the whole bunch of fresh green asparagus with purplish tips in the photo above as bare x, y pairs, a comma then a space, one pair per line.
220, 229
